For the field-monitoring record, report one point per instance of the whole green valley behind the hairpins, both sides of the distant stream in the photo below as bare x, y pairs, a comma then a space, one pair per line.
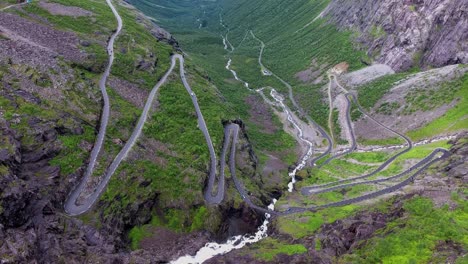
291, 46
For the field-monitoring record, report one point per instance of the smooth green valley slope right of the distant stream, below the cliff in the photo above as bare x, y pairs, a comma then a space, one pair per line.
290, 46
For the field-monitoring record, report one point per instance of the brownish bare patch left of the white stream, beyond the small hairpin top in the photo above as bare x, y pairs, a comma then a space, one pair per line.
260, 114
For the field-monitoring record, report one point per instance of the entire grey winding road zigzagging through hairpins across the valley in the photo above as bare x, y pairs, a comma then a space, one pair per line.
231, 132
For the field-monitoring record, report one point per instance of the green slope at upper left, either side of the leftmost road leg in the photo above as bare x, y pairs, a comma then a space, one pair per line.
135, 44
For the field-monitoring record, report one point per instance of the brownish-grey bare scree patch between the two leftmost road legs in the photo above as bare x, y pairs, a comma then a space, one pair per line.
129, 91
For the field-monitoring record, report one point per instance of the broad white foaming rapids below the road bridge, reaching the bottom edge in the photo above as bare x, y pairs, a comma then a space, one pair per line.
213, 249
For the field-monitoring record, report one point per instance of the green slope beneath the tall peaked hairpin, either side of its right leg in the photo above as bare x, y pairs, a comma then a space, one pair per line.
183, 166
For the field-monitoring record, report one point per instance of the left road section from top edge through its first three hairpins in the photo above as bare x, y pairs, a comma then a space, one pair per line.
71, 206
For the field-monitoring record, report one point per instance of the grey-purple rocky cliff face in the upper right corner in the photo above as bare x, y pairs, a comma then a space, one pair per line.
407, 33
